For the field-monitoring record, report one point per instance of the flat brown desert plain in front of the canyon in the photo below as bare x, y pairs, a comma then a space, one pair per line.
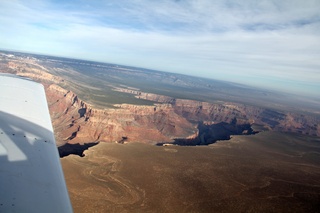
266, 172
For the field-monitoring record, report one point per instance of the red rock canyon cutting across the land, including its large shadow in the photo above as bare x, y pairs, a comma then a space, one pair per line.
167, 120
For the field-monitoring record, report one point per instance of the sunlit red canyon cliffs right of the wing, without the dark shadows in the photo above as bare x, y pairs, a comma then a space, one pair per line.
77, 122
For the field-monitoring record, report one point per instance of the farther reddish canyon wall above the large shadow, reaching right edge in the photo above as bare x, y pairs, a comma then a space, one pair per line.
198, 111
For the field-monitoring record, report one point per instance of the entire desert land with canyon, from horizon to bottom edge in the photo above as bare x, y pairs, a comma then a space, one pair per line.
136, 140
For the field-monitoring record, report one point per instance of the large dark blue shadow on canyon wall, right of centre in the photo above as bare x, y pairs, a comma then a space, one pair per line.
210, 133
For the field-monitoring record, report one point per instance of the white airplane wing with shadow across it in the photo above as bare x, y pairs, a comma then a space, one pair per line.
31, 177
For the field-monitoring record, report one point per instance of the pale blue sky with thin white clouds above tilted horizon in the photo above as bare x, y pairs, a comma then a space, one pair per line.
266, 43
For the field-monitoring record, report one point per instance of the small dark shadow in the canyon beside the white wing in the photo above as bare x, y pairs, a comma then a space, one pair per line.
74, 149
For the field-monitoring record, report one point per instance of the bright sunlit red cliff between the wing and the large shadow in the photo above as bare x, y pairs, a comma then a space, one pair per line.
77, 122
